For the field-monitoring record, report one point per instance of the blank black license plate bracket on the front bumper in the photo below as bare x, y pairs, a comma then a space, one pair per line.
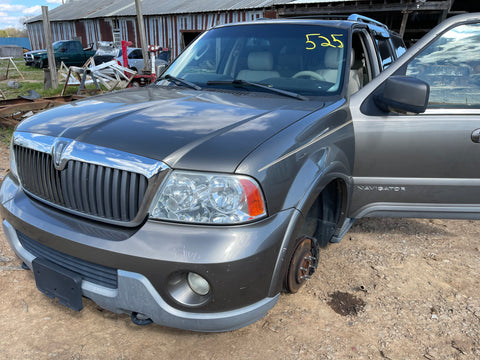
58, 282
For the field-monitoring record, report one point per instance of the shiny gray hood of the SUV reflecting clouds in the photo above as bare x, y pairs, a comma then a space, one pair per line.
202, 130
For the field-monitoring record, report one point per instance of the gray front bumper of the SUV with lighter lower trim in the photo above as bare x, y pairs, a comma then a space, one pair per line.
238, 261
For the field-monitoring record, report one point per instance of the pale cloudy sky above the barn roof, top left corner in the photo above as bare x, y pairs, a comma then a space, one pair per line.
13, 12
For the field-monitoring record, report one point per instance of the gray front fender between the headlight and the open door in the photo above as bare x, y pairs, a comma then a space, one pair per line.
295, 166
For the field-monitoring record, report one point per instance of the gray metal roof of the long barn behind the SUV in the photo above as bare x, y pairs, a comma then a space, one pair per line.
90, 9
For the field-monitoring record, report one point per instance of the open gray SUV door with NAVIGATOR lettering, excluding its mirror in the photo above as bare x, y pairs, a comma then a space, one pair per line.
425, 165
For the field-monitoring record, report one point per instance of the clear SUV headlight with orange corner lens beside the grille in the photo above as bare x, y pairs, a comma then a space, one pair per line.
208, 198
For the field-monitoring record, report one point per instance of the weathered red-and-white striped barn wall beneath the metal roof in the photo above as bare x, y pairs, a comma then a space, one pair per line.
165, 31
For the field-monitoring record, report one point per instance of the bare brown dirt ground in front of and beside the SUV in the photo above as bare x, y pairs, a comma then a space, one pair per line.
392, 289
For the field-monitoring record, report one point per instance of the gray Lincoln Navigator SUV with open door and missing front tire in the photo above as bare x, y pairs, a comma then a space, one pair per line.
194, 202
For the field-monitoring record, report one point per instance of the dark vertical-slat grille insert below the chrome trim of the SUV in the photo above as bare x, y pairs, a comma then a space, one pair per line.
95, 190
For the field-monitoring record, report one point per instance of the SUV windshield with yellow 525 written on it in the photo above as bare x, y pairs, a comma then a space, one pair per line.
305, 59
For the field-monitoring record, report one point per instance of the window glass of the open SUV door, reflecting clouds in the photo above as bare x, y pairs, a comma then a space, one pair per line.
451, 66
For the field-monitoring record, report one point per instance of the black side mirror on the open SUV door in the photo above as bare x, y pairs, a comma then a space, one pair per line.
404, 94
